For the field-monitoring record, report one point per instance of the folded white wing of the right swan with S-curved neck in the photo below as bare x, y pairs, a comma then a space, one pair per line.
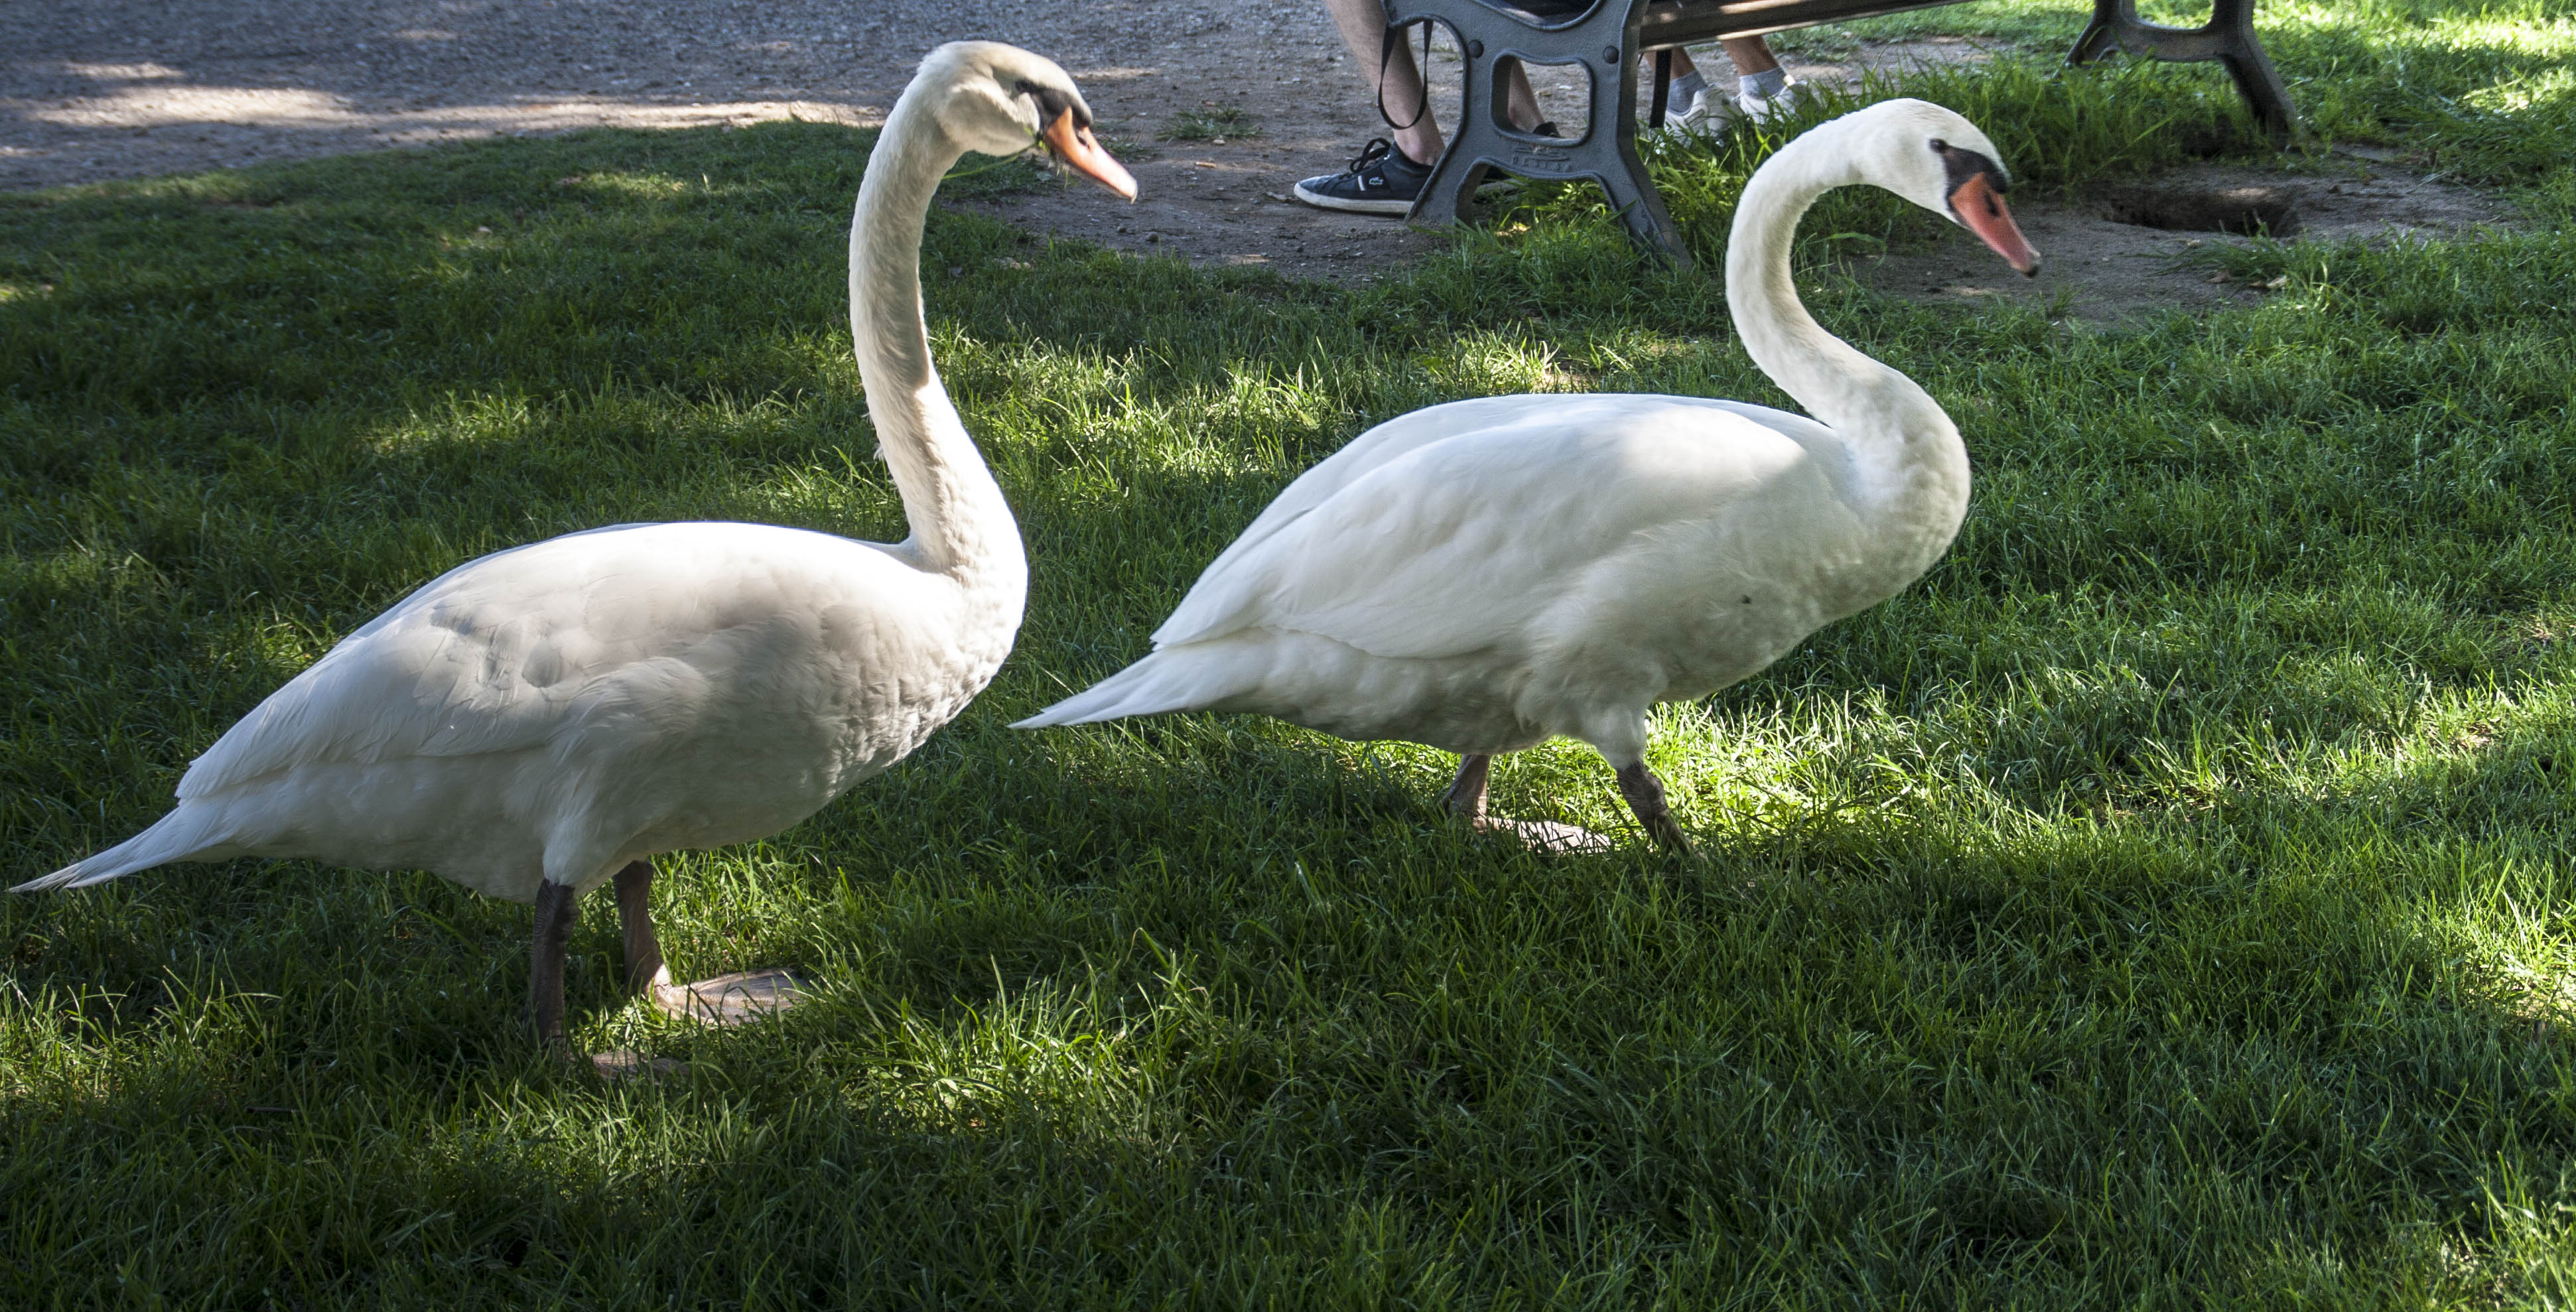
1452, 545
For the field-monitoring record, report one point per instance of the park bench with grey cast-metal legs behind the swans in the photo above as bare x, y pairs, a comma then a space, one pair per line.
1611, 35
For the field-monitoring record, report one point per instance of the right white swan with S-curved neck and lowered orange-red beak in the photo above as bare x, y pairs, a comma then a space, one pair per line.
1490, 574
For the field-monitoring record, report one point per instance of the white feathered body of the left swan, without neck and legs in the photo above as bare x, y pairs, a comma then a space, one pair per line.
568, 708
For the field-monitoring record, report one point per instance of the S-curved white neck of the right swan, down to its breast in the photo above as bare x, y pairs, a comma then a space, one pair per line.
1908, 465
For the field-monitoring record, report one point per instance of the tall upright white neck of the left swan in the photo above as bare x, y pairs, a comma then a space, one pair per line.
960, 519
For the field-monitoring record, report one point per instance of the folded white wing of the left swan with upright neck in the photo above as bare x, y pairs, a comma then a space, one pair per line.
504, 653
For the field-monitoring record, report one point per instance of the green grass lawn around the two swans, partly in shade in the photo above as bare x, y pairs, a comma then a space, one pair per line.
2163, 903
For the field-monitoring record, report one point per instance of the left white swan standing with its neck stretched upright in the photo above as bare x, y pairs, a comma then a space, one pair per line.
550, 718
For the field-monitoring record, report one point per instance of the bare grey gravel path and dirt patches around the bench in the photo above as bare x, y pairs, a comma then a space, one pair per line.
117, 89
